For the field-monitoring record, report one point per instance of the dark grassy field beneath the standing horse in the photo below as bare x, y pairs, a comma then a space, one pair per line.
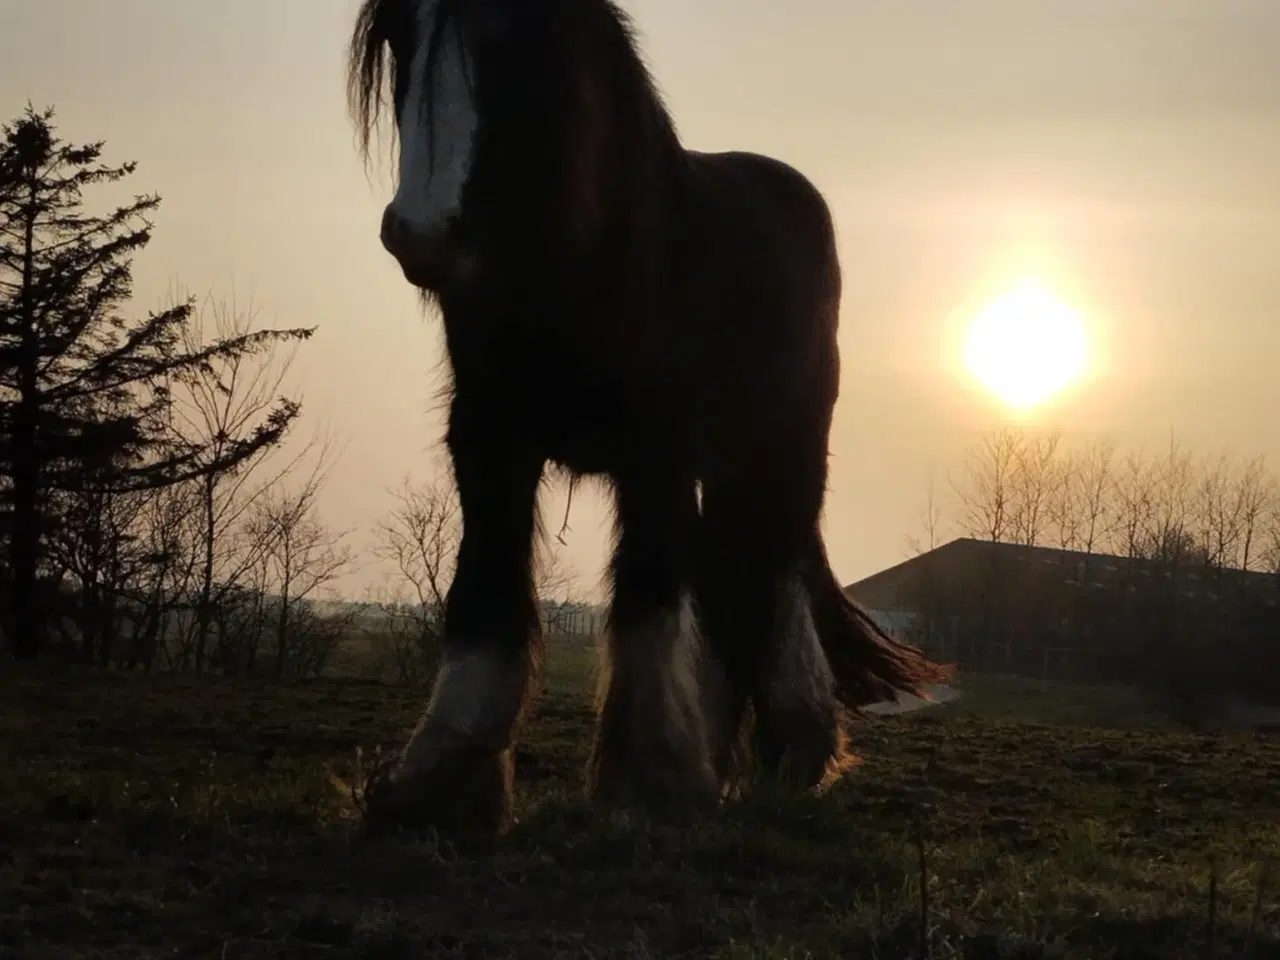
173, 817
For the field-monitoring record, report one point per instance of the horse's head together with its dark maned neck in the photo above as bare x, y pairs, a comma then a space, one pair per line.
524, 126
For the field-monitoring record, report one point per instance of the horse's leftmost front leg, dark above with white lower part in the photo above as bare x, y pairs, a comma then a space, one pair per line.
456, 772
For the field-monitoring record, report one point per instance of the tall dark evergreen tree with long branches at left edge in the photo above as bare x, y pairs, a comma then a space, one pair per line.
84, 390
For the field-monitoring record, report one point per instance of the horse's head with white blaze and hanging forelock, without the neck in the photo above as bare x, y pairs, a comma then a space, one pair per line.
449, 67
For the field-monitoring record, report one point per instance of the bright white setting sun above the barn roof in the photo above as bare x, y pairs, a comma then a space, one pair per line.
1027, 346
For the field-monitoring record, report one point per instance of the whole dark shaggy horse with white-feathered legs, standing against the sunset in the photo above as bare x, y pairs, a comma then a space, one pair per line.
621, 307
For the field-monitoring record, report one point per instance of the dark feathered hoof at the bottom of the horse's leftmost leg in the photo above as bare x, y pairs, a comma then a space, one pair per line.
464, 793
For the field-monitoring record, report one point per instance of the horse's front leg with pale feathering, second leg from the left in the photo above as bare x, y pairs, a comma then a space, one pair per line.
652, 744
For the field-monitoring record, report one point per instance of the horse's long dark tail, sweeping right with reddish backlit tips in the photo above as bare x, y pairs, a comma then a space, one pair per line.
870, 666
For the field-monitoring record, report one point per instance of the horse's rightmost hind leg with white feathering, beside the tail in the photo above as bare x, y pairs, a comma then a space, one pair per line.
760, 619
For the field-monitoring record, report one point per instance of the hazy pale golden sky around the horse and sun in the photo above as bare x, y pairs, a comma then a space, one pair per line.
1126, 153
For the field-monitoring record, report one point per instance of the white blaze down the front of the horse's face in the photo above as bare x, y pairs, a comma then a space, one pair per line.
431, 193
